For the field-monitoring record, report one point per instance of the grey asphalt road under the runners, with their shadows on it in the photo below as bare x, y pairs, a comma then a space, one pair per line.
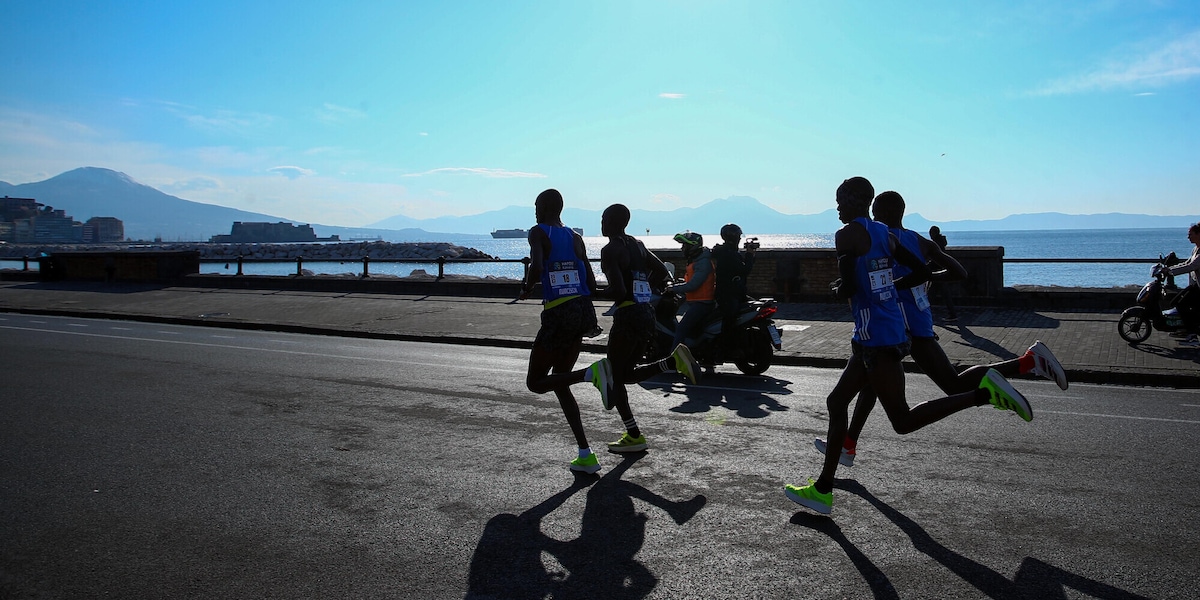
159, 461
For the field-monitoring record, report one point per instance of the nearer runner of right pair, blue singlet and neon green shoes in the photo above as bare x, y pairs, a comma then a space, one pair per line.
867, 251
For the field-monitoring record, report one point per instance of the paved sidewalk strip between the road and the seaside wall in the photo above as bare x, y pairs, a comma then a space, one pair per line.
1087, 343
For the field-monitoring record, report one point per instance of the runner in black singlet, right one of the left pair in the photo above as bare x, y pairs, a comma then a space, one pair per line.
632, 272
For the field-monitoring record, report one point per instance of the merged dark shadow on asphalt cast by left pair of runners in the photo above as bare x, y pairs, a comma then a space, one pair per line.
517, 560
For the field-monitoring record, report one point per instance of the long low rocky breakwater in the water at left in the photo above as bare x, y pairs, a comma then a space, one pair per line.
345, 251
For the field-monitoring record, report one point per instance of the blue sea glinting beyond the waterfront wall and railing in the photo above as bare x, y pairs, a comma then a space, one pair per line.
1076, 244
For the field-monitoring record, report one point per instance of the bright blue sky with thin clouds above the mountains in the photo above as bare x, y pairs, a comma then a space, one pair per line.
347, 113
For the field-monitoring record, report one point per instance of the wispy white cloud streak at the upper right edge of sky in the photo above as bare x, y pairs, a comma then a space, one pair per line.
1173, 63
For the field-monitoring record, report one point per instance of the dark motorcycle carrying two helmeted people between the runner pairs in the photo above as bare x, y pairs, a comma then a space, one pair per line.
754, 343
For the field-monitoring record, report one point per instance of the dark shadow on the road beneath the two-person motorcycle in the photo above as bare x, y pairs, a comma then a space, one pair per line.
733, 393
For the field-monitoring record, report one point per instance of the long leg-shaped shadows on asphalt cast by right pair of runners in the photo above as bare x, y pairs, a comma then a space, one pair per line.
1035, 579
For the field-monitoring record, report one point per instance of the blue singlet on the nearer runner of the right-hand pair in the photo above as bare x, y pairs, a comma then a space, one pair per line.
878, 317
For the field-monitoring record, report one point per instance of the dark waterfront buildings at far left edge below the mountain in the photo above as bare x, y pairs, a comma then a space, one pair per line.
28, 221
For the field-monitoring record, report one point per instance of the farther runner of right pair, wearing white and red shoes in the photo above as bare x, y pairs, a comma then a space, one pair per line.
919, 319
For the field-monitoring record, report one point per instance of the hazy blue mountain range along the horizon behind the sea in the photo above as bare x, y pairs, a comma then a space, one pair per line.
148, 214
